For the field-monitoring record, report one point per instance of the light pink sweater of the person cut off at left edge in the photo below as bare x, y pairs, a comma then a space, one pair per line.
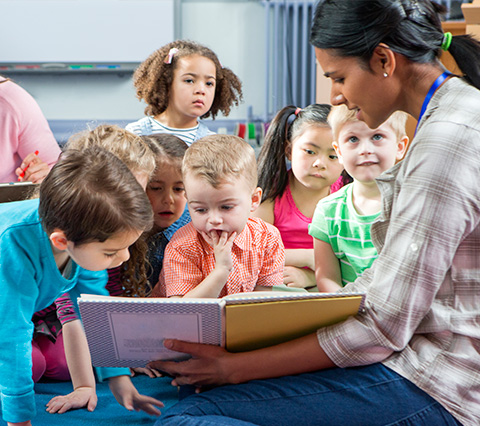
23, 129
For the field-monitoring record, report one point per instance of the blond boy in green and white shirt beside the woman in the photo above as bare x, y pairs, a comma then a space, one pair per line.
341, 224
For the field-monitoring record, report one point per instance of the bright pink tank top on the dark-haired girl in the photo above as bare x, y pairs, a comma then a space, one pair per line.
291, 223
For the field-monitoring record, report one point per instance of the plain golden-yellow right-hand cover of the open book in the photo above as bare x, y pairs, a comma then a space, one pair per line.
257, 325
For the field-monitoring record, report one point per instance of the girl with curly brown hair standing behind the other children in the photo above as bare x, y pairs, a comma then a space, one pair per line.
180, 83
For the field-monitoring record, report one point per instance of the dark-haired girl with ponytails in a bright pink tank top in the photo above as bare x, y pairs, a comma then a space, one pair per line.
303, 138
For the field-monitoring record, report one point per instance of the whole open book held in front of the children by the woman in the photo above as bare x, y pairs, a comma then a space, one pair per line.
129, 331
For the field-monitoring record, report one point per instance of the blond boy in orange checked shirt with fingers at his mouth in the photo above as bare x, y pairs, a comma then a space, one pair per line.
223, 250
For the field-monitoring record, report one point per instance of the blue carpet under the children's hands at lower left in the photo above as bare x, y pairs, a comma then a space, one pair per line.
108, 412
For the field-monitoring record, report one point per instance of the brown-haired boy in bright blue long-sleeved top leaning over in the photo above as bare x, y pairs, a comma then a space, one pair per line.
91, 209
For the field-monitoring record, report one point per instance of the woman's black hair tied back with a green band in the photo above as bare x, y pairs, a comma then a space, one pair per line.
411, 28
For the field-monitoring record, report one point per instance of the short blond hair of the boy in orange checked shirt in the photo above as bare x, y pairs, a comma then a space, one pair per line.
221, 158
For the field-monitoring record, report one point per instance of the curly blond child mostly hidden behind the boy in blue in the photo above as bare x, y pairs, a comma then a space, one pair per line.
59, 324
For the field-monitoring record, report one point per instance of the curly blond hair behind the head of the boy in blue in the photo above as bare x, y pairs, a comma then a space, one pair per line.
128, 147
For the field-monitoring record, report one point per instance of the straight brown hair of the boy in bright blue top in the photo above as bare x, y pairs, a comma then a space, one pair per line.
91, 195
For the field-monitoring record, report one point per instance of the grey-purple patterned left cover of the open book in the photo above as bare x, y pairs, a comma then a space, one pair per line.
129, 331
